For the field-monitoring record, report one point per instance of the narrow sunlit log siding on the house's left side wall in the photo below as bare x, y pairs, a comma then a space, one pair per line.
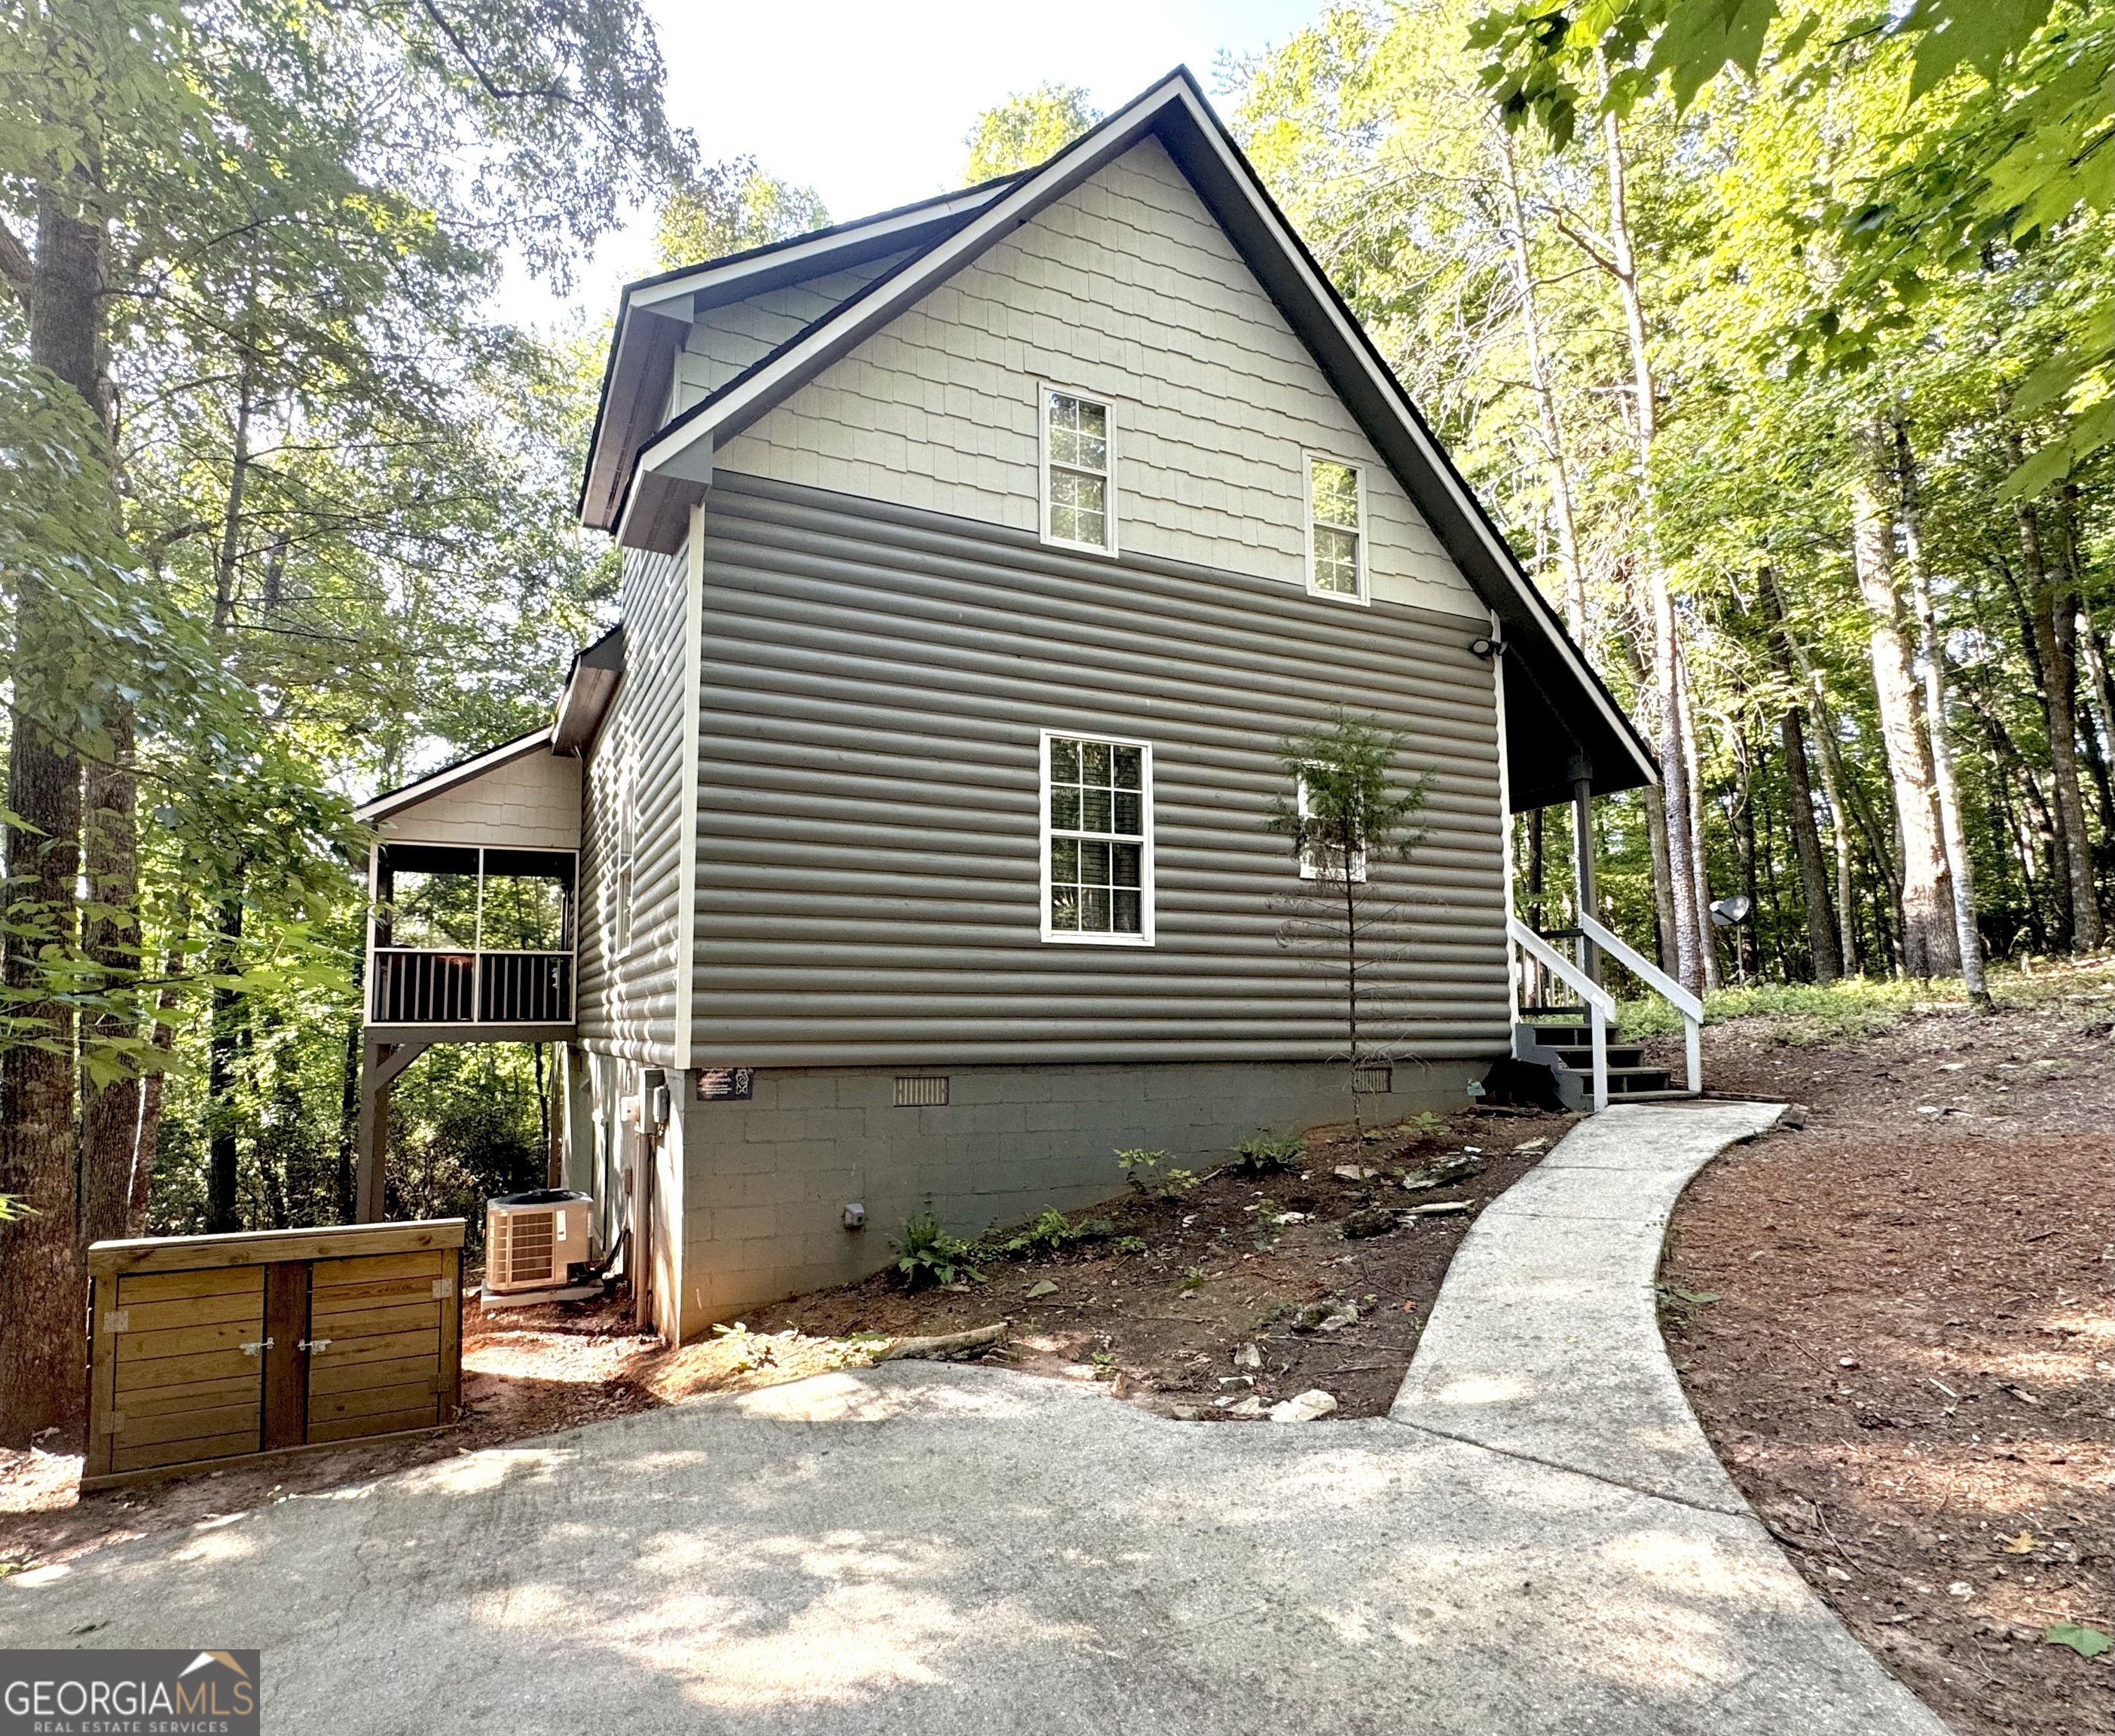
627, 982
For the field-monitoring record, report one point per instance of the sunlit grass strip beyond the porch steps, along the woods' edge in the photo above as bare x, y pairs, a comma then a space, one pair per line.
1858, 1008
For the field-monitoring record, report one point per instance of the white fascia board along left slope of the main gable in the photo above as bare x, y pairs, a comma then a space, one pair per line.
868, 314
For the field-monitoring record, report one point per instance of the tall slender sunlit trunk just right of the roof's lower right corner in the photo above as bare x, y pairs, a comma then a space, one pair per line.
1666, 646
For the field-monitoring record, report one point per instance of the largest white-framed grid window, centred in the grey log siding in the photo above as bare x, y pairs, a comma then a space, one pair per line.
1097, 841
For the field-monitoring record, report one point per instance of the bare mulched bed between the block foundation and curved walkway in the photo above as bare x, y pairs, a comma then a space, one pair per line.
1238, 1293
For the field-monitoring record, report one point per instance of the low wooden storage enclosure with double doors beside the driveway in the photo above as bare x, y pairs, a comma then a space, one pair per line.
206, 1350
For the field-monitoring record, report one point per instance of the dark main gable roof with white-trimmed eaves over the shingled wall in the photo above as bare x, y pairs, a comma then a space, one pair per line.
1562, 722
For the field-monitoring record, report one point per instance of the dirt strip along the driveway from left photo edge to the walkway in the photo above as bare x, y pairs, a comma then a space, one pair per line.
1166, 1304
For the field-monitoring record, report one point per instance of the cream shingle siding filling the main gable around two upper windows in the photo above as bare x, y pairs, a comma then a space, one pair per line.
1130, 291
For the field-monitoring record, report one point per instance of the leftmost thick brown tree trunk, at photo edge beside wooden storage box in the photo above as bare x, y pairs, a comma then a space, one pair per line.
43, 1312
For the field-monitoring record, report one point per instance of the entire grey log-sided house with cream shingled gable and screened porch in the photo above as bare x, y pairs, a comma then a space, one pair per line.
906, 841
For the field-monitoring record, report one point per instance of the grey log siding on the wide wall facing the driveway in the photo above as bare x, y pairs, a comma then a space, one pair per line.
868, 881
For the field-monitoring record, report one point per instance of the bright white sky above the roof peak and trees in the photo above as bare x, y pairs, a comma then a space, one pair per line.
870, 103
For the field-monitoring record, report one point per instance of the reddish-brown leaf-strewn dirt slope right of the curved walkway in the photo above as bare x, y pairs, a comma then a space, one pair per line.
1907, 1356
